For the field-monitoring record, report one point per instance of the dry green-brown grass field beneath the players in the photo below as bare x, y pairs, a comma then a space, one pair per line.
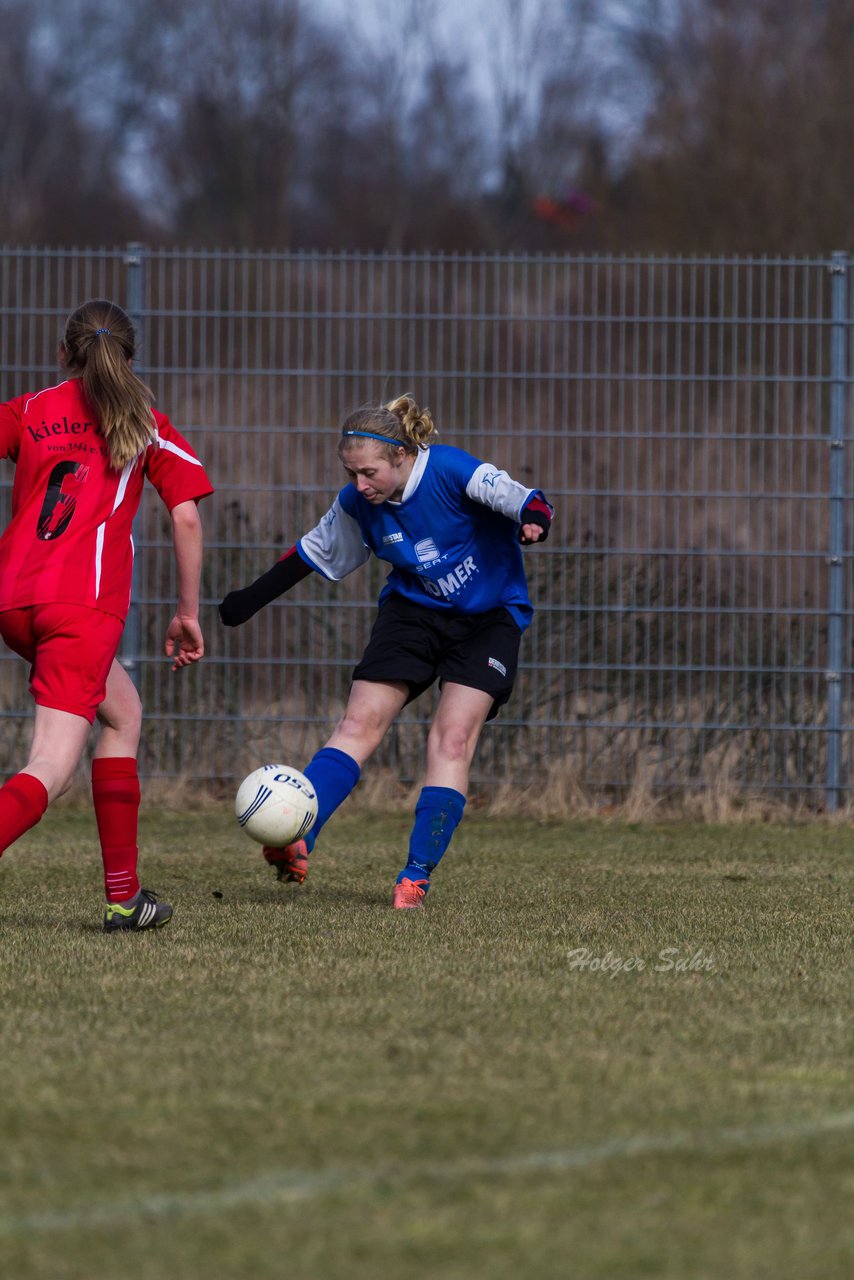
600, 1052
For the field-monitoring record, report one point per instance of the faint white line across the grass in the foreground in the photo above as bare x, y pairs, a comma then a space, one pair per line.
291, 1187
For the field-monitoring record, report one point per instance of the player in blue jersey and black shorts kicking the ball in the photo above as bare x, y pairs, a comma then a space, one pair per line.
454, 609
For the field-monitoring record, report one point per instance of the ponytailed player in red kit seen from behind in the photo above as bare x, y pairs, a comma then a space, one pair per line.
83, 452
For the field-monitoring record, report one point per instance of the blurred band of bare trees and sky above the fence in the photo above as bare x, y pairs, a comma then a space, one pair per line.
691, 125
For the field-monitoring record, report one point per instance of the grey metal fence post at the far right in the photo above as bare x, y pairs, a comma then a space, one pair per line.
837, 550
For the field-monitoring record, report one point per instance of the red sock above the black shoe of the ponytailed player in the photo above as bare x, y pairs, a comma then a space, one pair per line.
116, 793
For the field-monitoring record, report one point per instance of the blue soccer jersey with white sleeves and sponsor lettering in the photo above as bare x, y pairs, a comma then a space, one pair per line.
453, 541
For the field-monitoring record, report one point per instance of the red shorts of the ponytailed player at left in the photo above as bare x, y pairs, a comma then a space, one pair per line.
71, 650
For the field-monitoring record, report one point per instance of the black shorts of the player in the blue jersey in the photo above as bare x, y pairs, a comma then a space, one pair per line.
417, 646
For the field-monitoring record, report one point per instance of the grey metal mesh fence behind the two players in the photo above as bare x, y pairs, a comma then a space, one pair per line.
687, 417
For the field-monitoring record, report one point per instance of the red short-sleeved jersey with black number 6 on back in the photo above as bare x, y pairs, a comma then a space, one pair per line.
70, 540
